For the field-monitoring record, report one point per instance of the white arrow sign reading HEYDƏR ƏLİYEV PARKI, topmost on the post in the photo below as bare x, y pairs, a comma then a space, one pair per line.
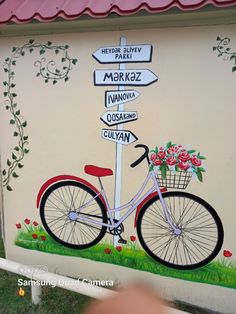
126, 54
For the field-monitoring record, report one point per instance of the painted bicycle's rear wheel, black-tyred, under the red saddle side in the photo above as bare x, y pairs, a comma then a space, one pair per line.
62, 208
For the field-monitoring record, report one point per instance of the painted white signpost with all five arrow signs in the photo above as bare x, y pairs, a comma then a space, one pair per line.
121, 77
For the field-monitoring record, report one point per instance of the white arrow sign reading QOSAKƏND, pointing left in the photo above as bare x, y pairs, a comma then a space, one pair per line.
117, 117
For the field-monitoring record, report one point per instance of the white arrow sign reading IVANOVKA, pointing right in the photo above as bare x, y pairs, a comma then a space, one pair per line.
113, 98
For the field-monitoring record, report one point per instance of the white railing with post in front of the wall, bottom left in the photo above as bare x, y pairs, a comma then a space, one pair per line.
67, 283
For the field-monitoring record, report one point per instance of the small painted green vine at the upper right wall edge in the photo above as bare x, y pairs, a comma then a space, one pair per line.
224, 51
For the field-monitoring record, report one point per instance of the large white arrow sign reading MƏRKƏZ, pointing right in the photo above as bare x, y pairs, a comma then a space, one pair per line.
140, 77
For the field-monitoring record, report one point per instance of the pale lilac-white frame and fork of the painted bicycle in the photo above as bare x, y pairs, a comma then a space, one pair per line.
132, 205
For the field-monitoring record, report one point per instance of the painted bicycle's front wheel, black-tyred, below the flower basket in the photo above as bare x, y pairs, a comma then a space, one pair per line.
200, 235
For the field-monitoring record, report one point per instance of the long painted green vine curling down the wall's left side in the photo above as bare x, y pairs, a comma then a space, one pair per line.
50, 73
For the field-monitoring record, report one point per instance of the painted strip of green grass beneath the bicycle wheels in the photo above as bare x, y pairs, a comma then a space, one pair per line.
221, 272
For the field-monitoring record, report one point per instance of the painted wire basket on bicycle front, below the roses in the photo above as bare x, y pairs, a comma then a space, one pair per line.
174, 179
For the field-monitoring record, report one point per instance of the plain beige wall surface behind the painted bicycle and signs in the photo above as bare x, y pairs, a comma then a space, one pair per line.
192, 104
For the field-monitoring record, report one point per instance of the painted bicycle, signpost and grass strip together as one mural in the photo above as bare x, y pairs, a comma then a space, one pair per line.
178, 233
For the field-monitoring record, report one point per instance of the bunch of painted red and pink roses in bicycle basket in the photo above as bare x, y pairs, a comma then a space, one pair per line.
176, 158
